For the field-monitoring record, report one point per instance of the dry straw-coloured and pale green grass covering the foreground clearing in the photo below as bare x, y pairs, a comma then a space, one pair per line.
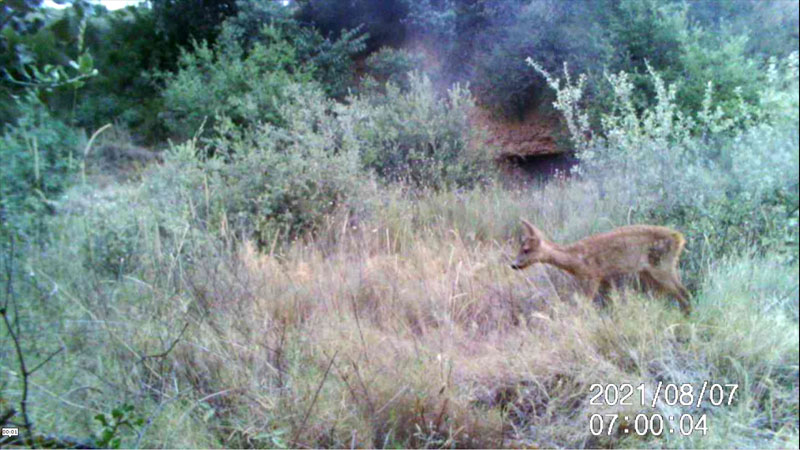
406, 328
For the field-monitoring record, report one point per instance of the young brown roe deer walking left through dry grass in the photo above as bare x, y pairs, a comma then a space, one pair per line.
646, 250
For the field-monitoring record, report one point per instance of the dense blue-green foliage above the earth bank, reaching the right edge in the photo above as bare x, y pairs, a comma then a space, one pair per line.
687, 42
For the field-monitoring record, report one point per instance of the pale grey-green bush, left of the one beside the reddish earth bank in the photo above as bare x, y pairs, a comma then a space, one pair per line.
268, 180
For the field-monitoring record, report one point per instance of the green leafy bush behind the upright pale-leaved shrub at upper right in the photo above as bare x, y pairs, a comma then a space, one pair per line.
686, 52
